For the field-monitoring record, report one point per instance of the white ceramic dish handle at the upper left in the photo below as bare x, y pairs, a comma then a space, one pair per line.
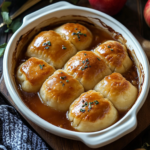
51, 7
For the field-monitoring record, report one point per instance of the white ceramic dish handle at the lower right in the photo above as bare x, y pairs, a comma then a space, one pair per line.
100, 139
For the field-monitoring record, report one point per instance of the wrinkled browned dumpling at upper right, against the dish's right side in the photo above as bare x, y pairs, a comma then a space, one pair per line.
115, 55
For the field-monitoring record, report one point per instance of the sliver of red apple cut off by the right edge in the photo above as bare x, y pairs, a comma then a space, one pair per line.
147, 13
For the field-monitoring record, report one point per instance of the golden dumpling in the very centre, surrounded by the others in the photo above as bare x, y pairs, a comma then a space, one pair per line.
88, 68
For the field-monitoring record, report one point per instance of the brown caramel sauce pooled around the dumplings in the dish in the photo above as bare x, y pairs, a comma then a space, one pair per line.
58, 118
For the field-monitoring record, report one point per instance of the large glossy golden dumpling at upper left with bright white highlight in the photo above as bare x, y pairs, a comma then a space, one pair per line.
51, 47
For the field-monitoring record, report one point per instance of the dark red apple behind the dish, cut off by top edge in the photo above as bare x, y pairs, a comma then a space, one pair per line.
110, 7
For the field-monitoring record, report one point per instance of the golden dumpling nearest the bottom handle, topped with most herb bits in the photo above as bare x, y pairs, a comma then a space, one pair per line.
92, 112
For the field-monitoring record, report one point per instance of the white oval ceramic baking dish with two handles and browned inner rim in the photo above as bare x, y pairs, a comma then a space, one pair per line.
55, 12
